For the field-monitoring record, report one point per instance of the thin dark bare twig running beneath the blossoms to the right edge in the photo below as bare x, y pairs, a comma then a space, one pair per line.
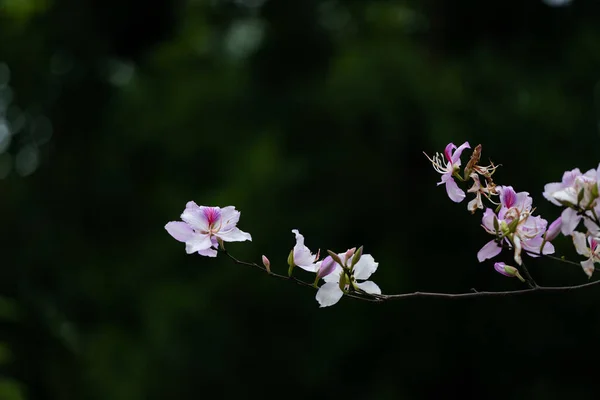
378, 298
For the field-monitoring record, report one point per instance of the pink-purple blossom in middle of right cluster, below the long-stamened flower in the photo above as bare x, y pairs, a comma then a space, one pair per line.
515, 226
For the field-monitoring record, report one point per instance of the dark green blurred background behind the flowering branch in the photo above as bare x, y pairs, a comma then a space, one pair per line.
307, 114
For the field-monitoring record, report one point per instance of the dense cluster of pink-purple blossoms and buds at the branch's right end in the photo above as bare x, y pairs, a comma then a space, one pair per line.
512, 222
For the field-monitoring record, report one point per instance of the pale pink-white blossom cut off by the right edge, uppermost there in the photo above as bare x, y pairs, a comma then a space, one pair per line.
578, 192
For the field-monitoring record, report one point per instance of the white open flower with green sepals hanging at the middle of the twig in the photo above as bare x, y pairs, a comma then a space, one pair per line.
341, 279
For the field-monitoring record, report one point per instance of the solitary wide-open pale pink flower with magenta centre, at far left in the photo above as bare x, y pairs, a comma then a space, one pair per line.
203, 227
